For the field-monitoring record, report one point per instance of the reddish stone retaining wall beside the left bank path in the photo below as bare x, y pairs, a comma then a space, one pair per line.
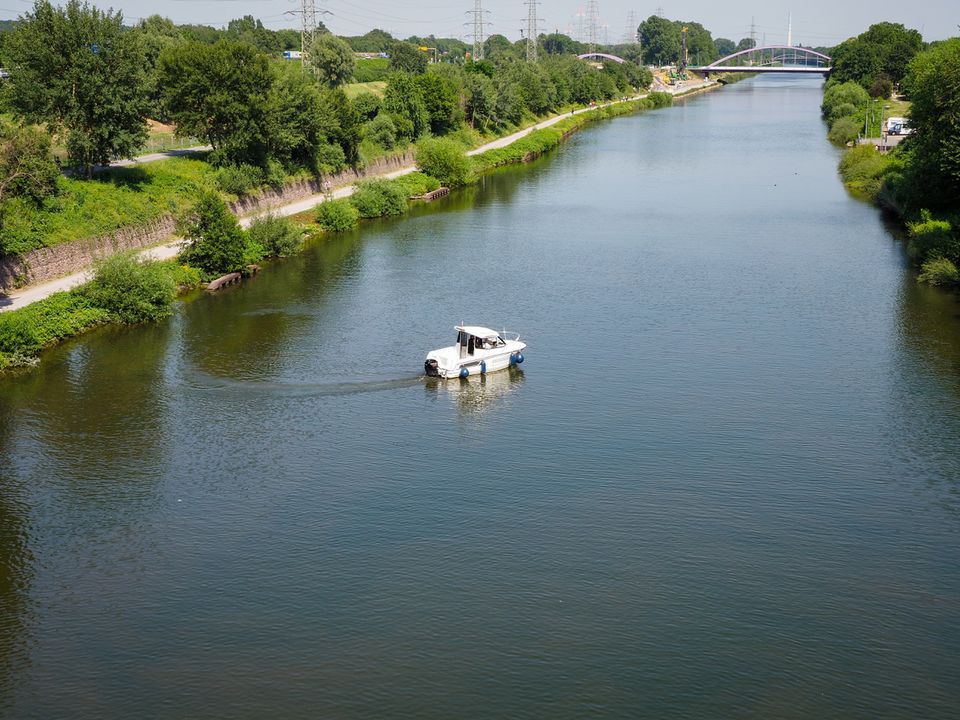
49, 263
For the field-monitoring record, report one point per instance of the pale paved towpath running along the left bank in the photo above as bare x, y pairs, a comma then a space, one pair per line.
33, 293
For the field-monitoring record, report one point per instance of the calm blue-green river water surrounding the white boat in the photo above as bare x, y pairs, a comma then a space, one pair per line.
726, 482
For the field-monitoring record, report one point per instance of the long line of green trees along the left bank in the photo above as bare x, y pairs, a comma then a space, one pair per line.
84, 82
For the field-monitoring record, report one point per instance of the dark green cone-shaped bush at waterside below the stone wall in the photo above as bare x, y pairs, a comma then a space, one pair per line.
217, 245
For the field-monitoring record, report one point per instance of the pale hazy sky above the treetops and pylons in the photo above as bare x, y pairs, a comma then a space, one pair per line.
815, 22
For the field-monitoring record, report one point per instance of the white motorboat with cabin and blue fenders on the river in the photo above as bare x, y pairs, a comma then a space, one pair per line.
478, 350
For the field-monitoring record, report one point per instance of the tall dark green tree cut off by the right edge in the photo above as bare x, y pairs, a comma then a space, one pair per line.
933, 85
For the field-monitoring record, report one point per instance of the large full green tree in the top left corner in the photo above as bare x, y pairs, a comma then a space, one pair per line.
78, 68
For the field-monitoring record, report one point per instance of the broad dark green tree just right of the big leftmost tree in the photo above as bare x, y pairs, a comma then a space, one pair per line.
219, 93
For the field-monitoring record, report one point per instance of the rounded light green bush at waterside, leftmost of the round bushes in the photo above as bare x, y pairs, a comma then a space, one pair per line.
131, 289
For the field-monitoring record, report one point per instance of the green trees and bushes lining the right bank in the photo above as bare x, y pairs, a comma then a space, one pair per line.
920, 178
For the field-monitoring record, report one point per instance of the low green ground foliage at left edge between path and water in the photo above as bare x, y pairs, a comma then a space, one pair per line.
25, 332
